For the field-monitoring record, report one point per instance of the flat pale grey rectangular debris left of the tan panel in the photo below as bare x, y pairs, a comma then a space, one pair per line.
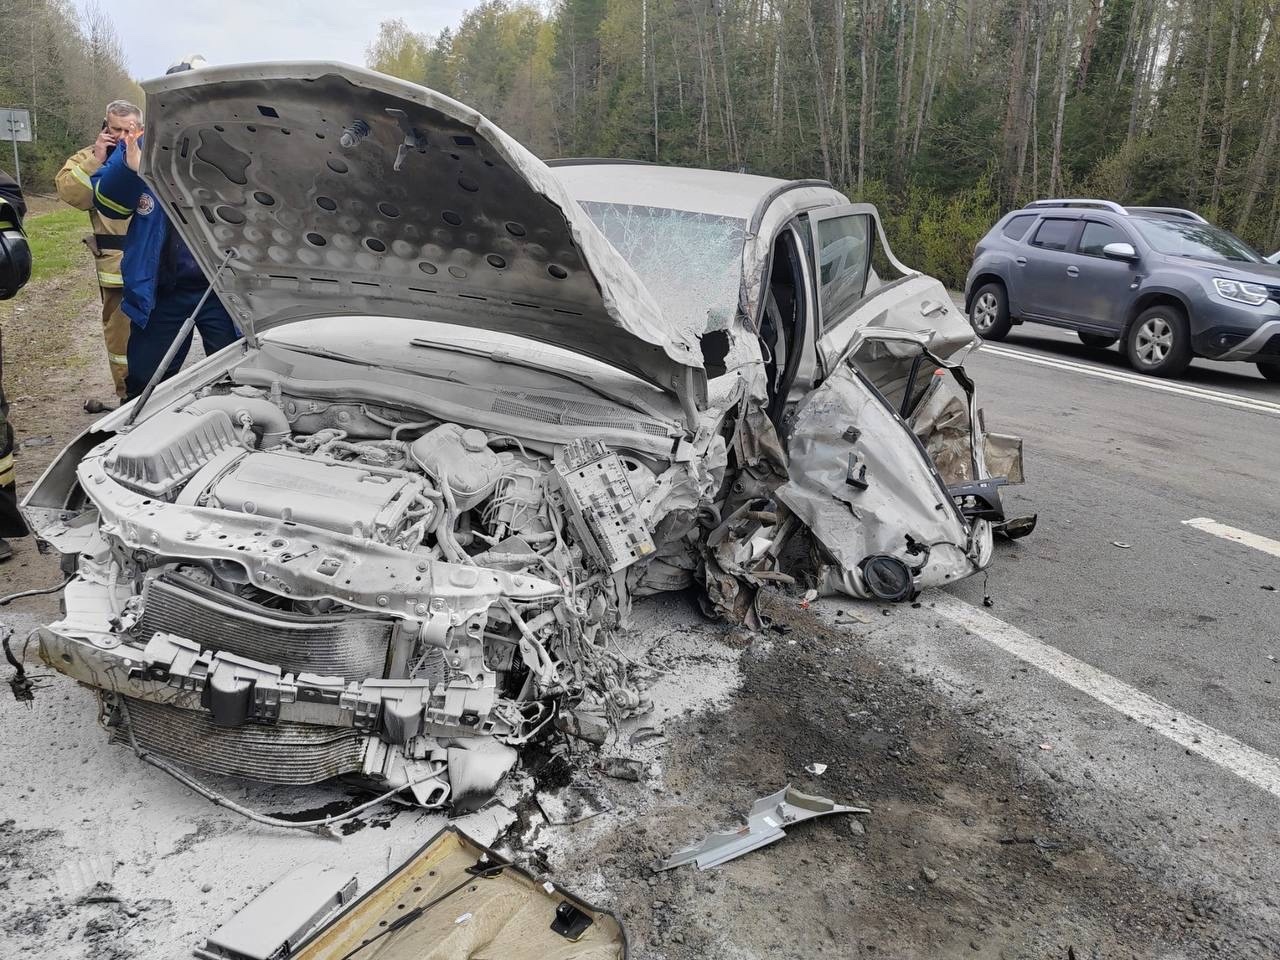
280, 918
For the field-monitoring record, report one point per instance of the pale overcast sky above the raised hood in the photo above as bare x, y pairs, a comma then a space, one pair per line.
158, 33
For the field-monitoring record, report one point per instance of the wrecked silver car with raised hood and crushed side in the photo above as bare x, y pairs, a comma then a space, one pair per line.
483, 404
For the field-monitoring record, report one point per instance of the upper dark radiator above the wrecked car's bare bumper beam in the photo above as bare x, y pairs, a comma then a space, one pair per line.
351, 647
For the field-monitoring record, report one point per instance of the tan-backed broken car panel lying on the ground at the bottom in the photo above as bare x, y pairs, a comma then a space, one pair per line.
459, 900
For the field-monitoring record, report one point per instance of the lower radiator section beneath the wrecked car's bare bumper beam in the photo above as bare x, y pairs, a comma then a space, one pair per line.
281, 753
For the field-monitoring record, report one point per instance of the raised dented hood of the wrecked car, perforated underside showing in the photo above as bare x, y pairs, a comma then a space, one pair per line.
345, 193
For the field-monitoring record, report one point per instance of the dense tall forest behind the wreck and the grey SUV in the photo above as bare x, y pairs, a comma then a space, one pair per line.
943, 112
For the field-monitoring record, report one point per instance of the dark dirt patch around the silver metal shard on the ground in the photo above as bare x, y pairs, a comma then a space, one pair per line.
962, 856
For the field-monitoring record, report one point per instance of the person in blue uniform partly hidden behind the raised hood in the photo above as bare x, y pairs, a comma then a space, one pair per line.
163, 282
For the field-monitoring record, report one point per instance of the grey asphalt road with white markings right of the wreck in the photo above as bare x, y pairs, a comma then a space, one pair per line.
1131, 644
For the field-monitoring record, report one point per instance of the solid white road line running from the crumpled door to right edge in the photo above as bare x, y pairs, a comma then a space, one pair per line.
1251, 766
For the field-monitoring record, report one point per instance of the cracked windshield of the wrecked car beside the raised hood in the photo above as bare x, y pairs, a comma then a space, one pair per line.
692, 263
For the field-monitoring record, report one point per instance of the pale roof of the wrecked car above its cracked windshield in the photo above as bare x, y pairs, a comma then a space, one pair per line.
715, 193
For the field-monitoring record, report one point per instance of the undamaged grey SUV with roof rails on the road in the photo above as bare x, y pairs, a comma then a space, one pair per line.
1164, 282
